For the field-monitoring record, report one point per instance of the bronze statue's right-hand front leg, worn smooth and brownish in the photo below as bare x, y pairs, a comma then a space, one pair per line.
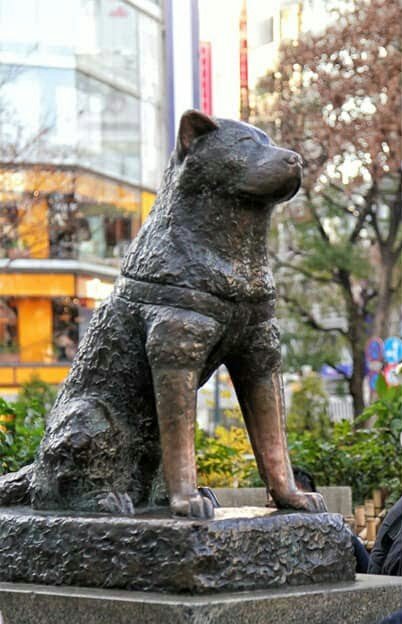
255, 373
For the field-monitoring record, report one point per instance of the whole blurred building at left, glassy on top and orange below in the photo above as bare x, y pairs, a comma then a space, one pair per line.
83, 126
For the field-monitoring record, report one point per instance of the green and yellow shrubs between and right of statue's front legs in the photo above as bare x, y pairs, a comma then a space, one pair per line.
365, 459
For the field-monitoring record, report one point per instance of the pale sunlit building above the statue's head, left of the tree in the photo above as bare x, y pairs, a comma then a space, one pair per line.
265, 25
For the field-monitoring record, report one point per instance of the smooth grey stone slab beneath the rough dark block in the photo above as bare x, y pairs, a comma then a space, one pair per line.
365, 601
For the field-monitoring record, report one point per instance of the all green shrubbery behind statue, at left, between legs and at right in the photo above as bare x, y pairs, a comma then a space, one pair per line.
365, 459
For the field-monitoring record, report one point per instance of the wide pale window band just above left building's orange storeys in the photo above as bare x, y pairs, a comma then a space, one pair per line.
54, 114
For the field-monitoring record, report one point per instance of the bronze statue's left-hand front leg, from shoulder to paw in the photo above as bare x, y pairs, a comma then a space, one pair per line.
178, 345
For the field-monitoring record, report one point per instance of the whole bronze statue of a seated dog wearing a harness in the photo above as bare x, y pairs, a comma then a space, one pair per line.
195, 291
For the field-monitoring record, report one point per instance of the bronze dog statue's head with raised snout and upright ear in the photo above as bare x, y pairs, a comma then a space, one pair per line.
234, 158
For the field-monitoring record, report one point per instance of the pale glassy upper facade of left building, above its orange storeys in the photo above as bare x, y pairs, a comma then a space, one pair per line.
89, 76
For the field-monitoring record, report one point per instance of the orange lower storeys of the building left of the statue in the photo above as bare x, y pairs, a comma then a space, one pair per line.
46, 264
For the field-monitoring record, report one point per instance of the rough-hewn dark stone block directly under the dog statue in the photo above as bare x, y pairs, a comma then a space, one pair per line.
241, 549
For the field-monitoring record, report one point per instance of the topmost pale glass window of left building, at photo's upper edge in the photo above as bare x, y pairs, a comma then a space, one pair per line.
108, 39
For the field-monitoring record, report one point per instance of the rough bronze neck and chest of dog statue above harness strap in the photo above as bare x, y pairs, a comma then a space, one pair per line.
227, 258
